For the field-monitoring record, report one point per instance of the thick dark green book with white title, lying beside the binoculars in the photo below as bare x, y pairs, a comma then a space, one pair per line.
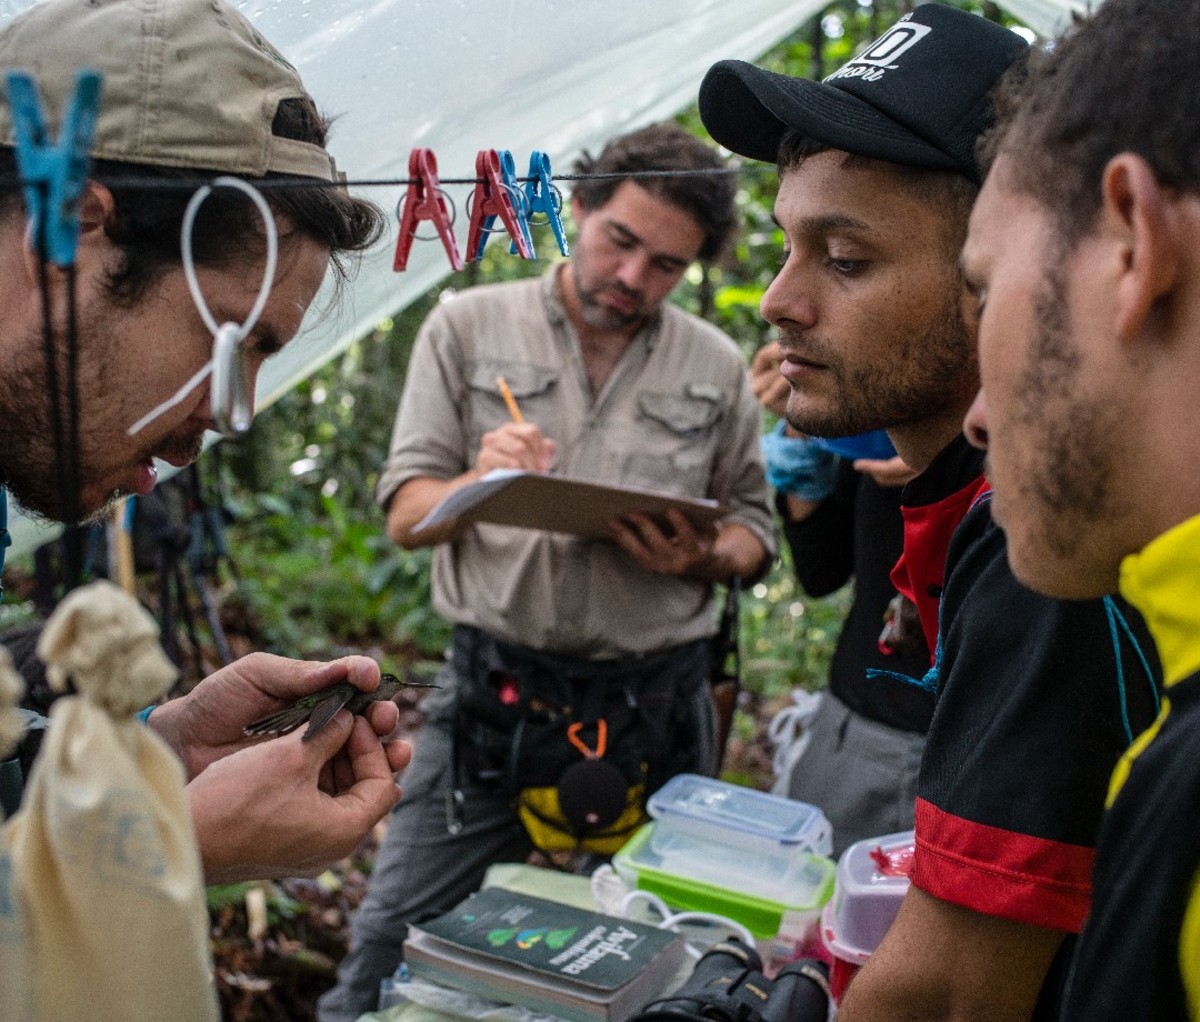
548, 957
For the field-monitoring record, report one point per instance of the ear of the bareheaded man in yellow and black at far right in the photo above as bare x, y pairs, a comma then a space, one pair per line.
1138, 213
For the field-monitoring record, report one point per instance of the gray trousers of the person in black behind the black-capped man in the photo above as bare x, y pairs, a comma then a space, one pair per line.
861, 773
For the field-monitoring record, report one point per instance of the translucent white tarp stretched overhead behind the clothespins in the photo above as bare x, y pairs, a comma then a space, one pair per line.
459, 76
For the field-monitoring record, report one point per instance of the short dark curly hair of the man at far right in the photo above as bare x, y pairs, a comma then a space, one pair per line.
1120, 81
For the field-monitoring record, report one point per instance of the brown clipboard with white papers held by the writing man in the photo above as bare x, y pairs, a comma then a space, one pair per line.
559, 504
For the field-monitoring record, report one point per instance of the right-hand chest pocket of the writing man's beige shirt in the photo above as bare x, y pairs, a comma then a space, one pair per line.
676, 441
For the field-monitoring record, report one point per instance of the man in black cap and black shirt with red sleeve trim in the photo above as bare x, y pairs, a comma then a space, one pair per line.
1036, 699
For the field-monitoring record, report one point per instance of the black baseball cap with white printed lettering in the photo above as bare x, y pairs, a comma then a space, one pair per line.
920, 95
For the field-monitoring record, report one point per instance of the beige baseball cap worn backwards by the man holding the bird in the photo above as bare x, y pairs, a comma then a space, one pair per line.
187, 83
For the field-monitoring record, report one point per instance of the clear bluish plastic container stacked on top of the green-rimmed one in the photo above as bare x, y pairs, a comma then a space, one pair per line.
740, 819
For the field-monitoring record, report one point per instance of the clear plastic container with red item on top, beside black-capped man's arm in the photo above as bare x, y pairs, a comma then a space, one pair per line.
873, 880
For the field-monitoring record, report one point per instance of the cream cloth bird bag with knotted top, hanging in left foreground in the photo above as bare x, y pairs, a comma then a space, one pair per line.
104, 859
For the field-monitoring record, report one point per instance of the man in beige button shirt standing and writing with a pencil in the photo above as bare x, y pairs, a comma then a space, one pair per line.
615, 386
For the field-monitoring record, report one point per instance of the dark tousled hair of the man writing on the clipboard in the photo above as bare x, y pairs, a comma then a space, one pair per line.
707, 197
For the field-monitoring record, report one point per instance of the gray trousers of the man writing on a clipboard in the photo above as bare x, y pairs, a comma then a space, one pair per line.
422, 870
